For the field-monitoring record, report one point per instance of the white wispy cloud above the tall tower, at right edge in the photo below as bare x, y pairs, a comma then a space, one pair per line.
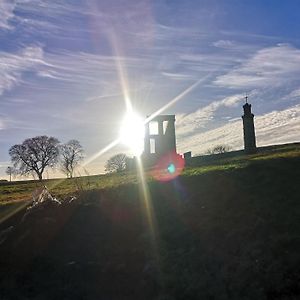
267, 67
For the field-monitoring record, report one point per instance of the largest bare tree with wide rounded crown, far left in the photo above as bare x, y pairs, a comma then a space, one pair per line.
34, 155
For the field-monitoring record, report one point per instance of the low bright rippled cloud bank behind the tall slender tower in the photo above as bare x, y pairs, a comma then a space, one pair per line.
277, 127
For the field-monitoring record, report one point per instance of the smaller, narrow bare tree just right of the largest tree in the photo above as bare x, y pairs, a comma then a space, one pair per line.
71, 154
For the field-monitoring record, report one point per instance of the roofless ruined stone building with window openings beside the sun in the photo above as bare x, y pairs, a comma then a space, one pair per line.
159, 138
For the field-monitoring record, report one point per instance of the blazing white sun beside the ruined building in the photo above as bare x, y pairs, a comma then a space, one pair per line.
132, 133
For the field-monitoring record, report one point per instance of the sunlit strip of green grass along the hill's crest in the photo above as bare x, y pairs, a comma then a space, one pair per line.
21, 191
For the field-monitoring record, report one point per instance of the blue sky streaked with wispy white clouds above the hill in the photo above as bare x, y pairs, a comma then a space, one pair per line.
62, 65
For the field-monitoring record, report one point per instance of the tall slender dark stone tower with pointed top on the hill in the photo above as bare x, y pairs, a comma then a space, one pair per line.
249, 131
